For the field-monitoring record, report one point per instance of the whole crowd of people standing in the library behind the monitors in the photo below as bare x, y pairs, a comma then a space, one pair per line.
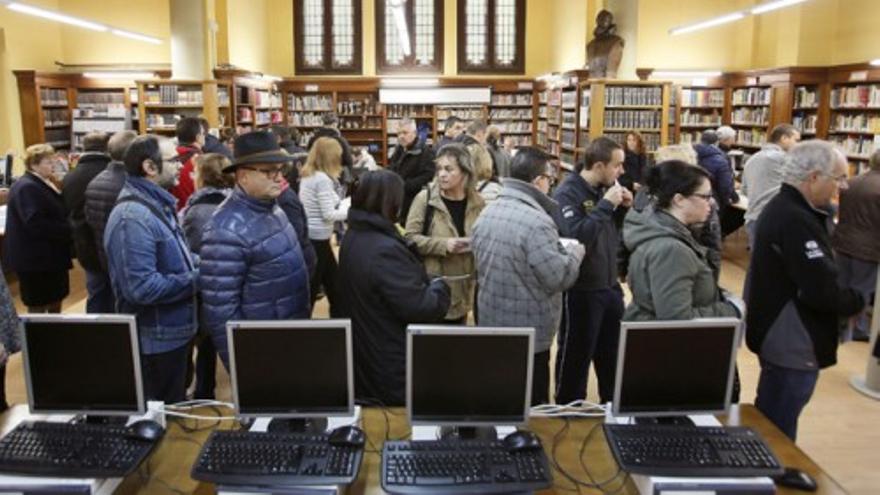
190, 234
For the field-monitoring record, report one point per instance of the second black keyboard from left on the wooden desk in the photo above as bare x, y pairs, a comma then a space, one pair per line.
259, 458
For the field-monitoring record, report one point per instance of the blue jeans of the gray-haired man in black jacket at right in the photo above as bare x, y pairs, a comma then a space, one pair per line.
783, 393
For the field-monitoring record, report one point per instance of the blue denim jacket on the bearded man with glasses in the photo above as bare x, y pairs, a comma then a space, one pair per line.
152, 272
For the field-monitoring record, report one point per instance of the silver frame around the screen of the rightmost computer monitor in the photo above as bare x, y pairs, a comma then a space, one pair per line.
706, 323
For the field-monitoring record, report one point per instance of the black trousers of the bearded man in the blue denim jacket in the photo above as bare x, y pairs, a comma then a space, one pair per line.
165, 375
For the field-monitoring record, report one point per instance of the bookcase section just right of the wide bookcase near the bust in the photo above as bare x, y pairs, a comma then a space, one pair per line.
699, 108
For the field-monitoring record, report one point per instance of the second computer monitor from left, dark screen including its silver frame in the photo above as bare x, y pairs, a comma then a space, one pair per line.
291, 369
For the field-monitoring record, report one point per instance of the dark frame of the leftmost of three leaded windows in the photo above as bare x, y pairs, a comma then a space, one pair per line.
302, 69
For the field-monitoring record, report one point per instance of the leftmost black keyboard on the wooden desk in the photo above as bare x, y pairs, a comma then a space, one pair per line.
72, 450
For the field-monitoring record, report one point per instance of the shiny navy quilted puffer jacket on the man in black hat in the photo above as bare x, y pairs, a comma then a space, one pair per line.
252, 267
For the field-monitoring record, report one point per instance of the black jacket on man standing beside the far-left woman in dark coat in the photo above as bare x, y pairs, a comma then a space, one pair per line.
74, 194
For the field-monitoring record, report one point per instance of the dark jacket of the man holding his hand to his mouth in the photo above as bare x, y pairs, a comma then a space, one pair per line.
589, 218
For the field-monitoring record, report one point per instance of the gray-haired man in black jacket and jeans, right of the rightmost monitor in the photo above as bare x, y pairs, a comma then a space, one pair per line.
794, 300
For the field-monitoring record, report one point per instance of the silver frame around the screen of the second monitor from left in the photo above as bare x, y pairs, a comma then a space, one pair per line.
231, 326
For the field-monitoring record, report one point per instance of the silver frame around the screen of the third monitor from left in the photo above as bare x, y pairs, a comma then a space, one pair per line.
460, 331
